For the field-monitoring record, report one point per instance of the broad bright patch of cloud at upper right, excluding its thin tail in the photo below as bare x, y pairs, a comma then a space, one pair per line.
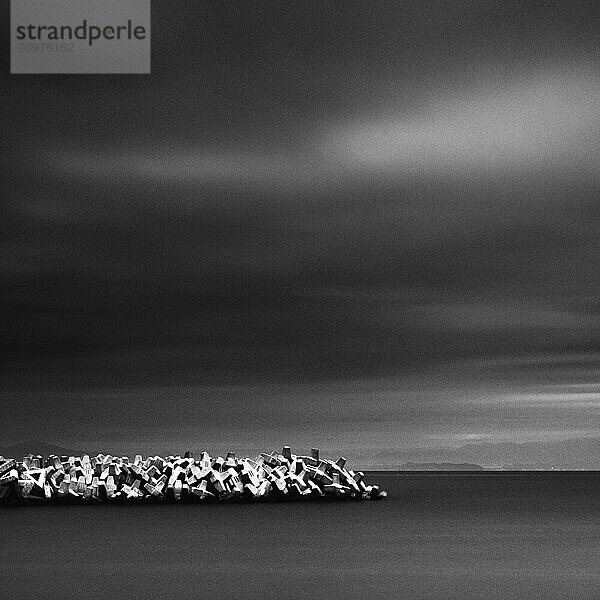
546, 120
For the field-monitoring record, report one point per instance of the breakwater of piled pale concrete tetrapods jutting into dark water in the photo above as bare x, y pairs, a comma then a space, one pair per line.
106, 478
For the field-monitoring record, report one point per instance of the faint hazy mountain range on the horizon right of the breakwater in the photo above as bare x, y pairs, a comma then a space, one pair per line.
571, 454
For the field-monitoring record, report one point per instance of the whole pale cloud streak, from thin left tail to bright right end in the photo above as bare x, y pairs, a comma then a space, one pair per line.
525, 125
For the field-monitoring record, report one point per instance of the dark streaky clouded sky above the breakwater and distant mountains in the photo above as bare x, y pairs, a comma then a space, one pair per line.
359, 224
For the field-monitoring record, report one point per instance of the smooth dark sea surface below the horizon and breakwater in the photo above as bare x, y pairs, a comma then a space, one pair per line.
438, 536
